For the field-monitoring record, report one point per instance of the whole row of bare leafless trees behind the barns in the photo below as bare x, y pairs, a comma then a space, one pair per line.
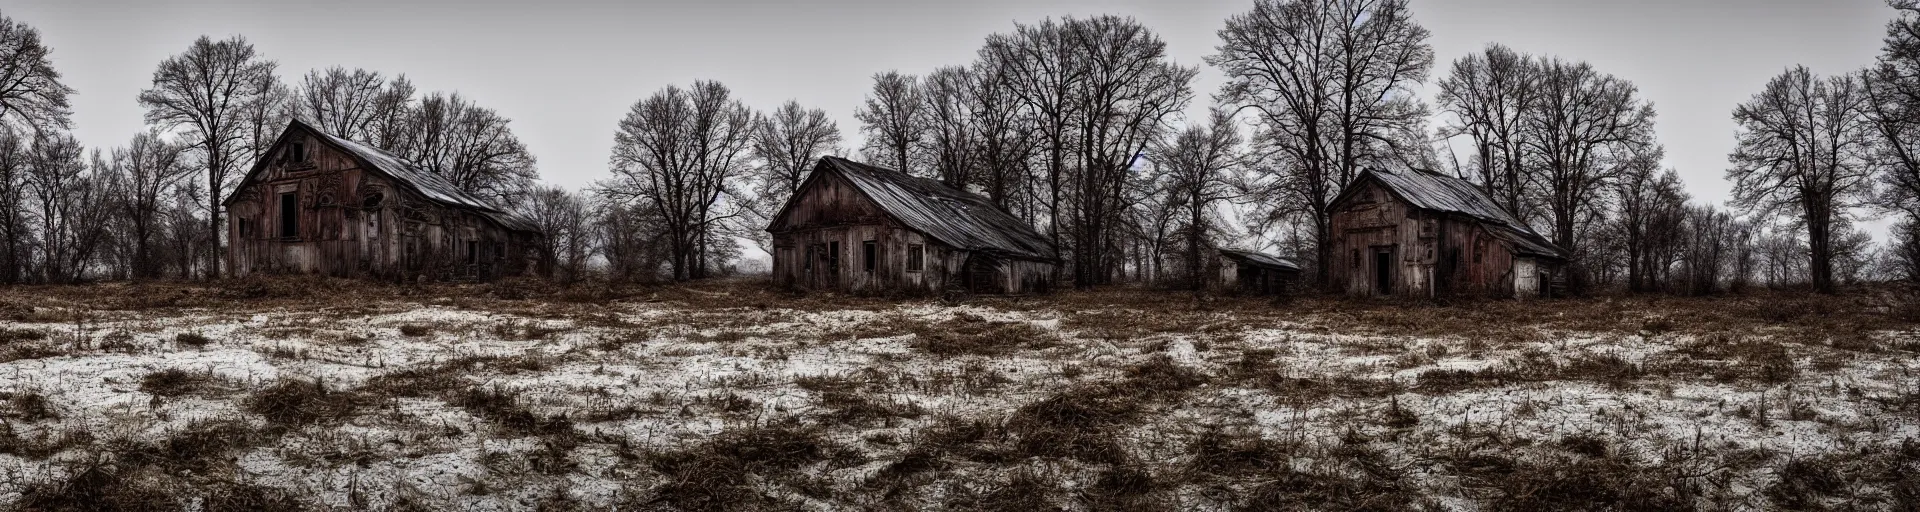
1074, 126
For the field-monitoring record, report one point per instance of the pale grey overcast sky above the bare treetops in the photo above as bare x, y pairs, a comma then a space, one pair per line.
567, 70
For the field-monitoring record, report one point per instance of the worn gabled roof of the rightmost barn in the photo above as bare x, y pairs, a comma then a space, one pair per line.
1439, 193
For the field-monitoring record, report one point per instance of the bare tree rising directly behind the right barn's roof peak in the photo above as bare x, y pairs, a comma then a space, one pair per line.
1489, 97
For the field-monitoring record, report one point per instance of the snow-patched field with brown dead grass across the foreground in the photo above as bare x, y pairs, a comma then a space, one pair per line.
633, 406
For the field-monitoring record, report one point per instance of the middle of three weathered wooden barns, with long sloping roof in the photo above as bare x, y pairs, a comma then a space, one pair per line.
855, 227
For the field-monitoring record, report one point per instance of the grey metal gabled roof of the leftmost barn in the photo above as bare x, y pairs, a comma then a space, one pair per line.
404, 172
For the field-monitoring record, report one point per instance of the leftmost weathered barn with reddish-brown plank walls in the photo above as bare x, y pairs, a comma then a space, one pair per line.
320, 204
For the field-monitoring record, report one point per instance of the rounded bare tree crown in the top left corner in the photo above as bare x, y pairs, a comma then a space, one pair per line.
32, 91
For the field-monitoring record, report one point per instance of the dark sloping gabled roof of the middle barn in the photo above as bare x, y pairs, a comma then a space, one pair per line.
955, 218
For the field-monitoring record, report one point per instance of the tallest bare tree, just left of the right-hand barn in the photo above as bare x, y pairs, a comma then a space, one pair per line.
1332, 81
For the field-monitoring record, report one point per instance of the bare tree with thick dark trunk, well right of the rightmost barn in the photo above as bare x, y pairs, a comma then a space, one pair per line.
1804, 149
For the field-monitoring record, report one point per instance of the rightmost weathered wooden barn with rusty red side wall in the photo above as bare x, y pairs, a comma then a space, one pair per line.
1424, 235
